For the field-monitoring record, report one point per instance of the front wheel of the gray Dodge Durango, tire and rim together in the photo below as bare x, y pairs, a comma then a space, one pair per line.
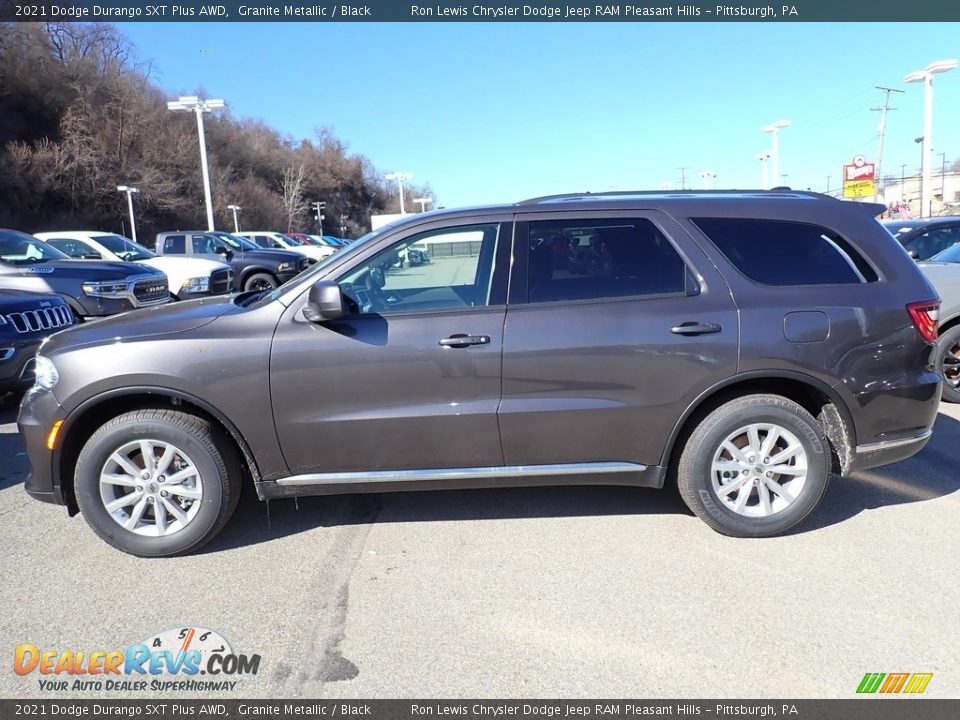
155, 483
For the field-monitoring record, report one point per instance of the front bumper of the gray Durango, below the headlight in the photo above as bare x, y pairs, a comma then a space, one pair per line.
39, 410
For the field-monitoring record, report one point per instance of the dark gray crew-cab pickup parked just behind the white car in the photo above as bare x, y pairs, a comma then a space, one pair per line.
254, 268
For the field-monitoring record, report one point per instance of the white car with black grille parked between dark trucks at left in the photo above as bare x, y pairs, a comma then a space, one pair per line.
188, 277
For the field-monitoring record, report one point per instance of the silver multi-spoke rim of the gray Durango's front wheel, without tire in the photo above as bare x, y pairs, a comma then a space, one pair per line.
151, 488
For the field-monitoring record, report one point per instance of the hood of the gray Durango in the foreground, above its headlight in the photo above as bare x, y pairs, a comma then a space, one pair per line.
145, 322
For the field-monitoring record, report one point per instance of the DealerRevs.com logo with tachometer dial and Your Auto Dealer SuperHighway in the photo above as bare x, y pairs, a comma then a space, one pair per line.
172, 660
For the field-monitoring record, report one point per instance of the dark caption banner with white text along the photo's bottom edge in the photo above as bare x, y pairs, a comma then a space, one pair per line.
893, 708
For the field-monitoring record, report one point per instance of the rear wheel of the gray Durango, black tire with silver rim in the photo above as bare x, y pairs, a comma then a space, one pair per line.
698, 480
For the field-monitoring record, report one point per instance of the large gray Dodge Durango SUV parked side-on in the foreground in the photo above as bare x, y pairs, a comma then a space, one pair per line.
744, 345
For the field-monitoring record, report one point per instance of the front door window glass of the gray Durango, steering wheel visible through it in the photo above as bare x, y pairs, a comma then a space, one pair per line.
459, 274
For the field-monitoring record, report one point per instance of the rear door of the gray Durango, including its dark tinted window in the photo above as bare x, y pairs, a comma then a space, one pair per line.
616, 322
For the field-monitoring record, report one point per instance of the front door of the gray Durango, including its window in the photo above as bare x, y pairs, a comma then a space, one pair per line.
410, 379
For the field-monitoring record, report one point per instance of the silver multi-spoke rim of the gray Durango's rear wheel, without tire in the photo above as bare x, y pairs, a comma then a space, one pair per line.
759, 470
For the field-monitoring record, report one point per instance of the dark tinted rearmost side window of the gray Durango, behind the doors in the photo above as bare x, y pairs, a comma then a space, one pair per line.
775, 252
